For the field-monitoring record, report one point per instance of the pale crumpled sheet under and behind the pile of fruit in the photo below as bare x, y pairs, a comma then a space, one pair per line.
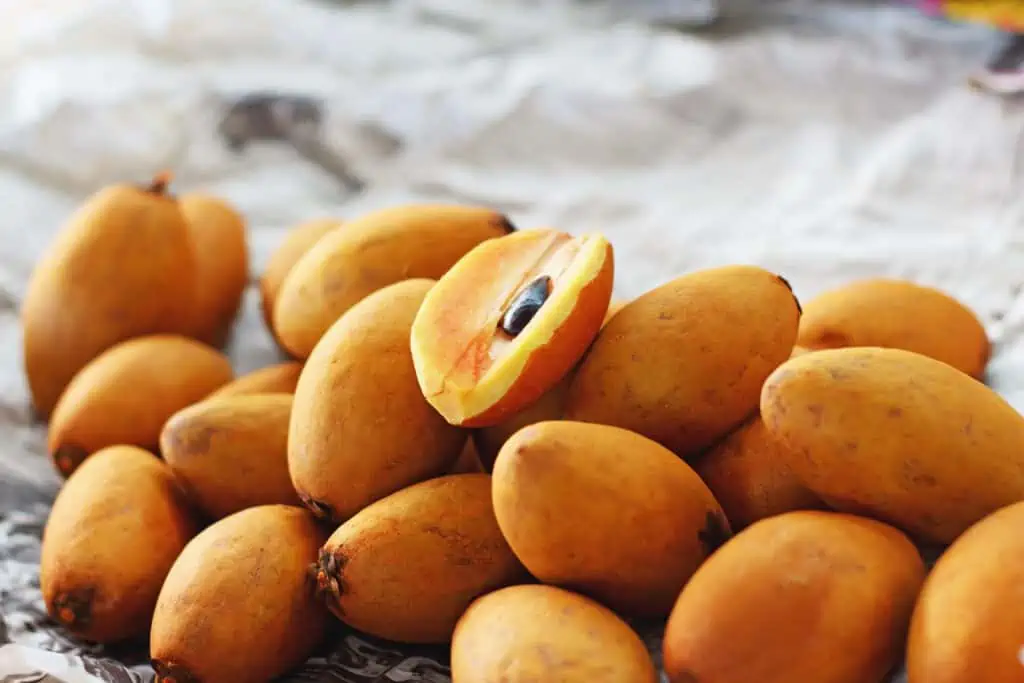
827, 141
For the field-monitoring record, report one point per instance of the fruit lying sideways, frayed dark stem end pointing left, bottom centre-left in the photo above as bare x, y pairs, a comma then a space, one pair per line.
407, 568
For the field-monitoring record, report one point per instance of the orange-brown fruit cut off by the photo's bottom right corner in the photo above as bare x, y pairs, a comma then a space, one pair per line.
968, 626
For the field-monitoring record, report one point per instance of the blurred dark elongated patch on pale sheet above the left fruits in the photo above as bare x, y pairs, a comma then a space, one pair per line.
296, 120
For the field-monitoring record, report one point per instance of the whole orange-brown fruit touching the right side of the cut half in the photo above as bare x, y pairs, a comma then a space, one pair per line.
684, 364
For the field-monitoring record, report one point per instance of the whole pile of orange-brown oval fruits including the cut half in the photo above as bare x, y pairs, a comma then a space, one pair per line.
475, 446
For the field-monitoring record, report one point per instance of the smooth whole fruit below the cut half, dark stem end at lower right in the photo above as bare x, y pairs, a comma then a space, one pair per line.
612, 481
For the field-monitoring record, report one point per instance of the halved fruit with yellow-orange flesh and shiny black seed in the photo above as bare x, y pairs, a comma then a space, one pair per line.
508, 321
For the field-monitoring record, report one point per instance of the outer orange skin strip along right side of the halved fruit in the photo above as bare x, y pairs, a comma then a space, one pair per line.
549, 364
